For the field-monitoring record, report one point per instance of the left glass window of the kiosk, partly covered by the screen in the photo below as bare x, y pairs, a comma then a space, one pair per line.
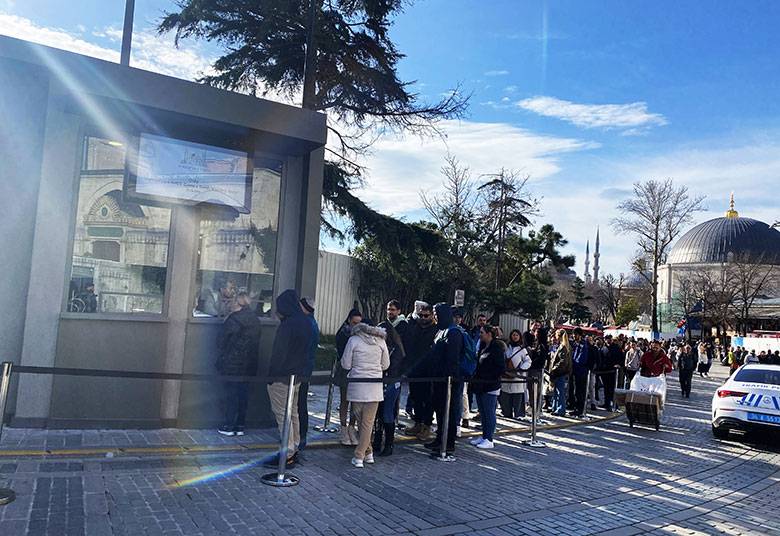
120, 248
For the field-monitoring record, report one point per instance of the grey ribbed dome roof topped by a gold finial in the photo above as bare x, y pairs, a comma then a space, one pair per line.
713, 240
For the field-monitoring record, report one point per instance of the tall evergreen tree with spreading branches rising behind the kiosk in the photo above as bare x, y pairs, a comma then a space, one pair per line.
336, 57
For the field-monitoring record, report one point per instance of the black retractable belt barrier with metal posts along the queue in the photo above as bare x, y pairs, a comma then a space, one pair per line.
281, 478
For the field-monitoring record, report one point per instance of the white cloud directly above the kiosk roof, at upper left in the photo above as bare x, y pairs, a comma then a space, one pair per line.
150, 51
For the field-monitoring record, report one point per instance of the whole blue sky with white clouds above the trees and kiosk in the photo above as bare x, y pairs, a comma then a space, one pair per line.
584, 97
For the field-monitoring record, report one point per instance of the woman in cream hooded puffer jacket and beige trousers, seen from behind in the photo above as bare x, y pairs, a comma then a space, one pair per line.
365, 356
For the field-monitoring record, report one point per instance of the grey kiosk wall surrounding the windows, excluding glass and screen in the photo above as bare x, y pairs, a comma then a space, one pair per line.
50, 97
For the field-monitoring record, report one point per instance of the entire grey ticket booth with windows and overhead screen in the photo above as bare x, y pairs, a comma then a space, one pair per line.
135, 206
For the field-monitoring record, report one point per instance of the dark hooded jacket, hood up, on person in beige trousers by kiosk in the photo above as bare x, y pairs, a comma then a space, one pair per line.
292, 343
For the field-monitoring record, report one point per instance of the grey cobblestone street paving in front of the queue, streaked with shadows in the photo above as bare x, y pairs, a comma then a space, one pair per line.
600, 478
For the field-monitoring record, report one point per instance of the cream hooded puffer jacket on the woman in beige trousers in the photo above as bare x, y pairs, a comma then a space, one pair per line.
366, 356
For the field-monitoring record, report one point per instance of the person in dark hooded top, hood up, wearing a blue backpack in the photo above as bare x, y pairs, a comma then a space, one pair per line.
445, 359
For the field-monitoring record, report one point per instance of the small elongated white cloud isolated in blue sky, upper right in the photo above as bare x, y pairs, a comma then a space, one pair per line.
605, 116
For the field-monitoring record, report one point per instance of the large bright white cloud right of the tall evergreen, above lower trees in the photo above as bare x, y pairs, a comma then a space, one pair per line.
400, 168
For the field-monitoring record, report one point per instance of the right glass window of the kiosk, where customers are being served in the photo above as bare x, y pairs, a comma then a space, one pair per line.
238, 251
